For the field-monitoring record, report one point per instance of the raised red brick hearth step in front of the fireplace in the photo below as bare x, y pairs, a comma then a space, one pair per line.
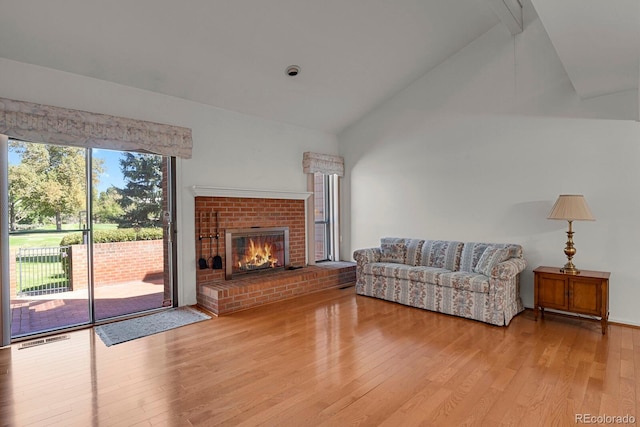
252, 290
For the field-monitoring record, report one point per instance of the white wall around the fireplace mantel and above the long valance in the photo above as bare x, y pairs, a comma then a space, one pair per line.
230, 149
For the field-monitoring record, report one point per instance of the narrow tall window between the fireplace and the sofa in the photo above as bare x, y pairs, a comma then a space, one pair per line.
325, 203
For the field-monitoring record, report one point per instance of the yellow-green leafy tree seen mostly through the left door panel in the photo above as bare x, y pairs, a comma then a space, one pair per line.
50, 180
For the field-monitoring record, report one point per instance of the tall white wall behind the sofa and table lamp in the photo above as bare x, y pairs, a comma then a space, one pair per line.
479, 148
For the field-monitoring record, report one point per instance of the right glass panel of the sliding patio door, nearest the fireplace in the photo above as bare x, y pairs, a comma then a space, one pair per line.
131, 246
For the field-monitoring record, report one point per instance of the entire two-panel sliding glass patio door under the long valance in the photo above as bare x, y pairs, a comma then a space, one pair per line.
89, 235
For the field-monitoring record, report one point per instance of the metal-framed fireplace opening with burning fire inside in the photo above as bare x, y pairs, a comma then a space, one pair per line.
251, 250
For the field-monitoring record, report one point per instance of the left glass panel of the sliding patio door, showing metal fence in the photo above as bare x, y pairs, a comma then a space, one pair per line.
48, 194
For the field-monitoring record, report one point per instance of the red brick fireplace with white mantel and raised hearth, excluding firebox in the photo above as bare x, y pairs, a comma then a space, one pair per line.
221, 294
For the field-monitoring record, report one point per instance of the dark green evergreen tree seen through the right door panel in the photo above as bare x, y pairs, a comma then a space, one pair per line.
142, 196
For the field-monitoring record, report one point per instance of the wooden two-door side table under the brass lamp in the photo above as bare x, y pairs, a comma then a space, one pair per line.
583, 293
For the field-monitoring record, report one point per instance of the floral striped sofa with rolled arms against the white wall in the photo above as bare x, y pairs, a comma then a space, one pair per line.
474, 280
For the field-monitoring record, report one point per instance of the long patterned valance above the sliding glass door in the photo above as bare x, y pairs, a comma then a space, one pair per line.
56, 125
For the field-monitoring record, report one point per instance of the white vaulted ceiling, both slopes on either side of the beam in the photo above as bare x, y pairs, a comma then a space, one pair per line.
232, 54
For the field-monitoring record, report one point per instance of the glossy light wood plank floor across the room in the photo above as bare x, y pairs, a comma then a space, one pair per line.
331, 358
